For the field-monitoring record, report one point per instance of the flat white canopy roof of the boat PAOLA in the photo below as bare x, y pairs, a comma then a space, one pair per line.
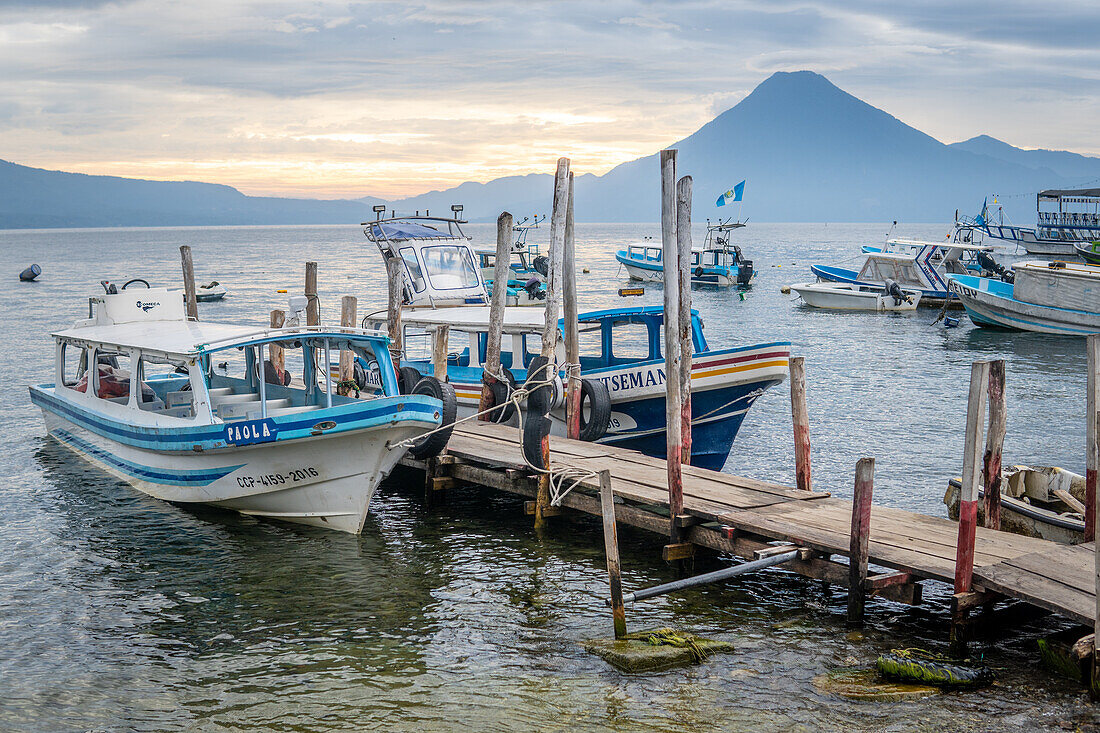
183, 341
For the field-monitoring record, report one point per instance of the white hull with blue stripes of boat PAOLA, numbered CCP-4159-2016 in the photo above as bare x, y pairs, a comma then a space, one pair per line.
326, 480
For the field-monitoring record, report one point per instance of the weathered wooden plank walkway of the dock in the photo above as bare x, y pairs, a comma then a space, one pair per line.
1054, 577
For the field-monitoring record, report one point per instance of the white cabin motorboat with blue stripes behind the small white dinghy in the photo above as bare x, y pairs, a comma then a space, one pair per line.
914, 266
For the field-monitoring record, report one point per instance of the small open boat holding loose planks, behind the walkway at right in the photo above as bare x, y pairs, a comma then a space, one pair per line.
1037, 501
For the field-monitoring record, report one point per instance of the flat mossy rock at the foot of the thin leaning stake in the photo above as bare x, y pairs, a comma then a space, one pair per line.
656, 650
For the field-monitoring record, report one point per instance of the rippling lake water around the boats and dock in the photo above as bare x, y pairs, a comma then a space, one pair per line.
123, 612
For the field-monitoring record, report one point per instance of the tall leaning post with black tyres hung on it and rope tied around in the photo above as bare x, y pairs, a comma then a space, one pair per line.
551, 323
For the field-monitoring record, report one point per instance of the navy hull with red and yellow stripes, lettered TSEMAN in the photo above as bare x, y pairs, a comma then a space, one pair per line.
724, 386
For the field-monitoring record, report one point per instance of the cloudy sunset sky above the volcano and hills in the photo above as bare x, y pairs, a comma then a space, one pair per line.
328, 100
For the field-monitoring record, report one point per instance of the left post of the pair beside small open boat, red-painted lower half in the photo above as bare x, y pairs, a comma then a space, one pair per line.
969, 499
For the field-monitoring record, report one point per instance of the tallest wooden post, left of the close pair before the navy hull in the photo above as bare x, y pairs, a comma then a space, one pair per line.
674, 424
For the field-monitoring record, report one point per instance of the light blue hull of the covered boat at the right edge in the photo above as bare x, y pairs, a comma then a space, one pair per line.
991, 304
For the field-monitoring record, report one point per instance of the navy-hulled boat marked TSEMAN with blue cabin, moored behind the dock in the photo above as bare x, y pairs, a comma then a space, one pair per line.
621, 363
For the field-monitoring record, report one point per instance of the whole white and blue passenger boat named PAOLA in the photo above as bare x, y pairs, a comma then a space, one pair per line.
191, 412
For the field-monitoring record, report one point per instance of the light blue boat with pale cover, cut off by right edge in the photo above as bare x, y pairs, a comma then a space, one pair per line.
1049, 298
